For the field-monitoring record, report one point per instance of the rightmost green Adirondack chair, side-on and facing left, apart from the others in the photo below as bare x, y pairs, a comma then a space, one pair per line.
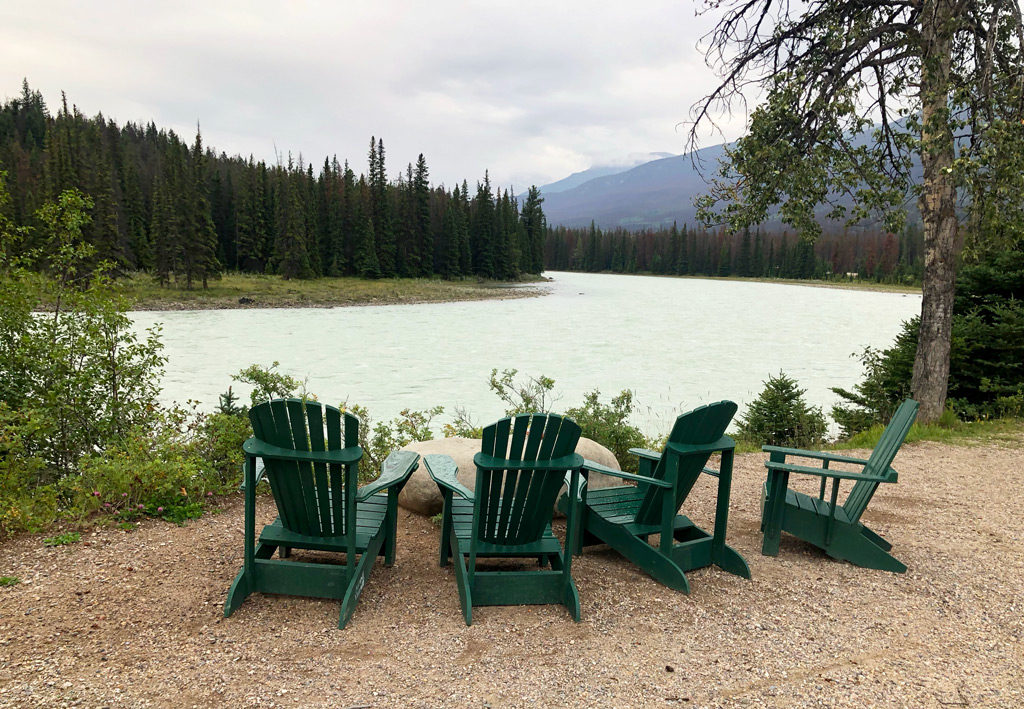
836, 529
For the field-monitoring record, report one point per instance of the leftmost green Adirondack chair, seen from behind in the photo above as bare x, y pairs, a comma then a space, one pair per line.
311, 454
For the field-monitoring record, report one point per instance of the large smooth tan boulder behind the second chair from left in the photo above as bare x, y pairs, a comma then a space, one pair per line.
421, 495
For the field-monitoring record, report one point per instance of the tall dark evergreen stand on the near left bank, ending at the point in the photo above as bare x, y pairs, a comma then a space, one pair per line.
186, 214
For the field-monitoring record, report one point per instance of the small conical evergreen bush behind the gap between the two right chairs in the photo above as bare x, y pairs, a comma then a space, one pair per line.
780, 416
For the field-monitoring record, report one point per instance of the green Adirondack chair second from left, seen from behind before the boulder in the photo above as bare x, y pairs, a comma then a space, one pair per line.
520, 471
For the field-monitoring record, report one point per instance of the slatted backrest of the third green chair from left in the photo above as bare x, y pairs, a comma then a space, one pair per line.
703, 426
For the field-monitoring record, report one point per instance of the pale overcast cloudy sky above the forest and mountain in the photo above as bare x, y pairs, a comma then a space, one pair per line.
532, 92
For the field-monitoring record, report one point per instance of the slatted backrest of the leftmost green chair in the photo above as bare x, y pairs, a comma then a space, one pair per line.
311, 497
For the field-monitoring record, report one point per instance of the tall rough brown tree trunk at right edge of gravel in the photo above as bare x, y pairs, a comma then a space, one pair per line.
938, 212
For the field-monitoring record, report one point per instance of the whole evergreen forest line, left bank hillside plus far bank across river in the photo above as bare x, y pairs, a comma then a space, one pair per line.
186, 214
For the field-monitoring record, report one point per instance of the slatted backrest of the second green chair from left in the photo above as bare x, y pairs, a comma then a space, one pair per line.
516, 507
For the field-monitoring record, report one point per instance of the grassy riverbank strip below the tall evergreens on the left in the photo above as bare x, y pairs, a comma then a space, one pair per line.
247, 290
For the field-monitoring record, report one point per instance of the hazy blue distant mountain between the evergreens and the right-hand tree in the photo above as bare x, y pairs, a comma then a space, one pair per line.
652, 195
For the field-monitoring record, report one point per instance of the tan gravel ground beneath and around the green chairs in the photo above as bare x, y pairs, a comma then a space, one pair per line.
136, 619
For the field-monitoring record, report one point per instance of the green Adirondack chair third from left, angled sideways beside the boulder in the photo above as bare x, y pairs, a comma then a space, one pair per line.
625, 517
